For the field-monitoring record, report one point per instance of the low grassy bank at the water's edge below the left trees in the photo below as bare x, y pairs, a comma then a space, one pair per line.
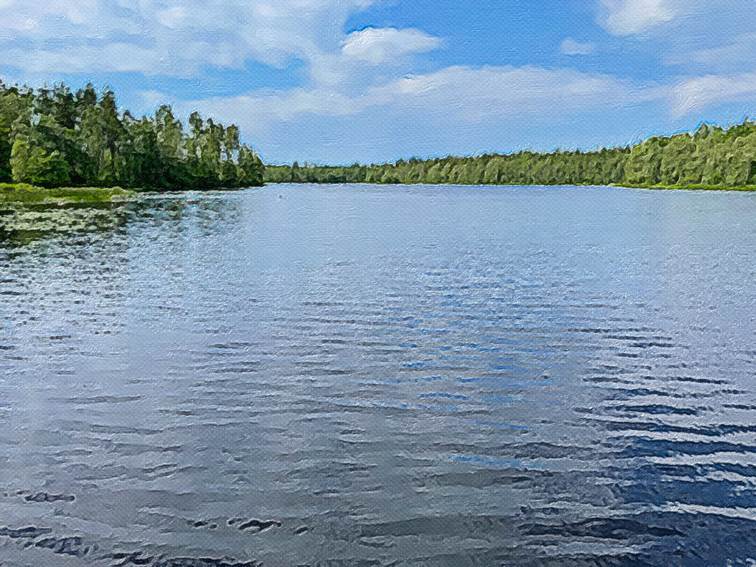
24, 194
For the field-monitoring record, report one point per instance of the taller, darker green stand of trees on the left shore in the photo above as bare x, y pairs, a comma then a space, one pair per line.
54, 137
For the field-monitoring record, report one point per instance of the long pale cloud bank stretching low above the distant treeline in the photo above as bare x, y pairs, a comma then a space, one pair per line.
488, 102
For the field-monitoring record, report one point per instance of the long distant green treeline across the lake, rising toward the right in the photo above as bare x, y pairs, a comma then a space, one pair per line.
712, 156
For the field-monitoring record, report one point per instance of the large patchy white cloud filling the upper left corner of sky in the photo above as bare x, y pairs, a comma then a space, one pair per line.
168, 37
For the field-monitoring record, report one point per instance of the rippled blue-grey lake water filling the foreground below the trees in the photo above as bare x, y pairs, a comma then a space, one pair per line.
381, 376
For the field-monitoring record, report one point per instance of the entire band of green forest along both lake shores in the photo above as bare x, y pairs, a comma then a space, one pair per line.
56, 137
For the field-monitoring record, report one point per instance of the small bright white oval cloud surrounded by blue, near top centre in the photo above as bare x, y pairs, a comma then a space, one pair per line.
384, 45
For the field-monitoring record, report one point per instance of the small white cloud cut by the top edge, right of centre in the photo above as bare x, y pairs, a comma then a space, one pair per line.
629, 17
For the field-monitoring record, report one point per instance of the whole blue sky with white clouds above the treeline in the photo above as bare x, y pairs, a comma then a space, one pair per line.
337, 81
